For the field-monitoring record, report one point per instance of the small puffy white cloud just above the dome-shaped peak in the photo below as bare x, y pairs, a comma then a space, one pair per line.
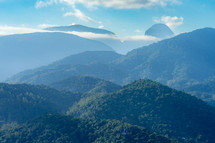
172, 22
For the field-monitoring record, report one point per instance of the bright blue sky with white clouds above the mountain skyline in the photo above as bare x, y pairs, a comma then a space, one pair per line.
123, 17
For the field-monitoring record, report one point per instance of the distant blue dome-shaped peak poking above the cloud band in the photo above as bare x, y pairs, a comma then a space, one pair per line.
159, 31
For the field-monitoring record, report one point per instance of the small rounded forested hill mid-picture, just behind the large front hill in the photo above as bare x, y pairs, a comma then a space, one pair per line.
85, 84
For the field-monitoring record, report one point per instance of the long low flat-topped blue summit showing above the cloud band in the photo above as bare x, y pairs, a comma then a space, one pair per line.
79, 28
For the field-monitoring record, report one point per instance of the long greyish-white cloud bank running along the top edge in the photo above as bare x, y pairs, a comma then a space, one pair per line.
117, 4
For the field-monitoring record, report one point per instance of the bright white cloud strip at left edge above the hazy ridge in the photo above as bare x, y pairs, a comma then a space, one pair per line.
9, 30
